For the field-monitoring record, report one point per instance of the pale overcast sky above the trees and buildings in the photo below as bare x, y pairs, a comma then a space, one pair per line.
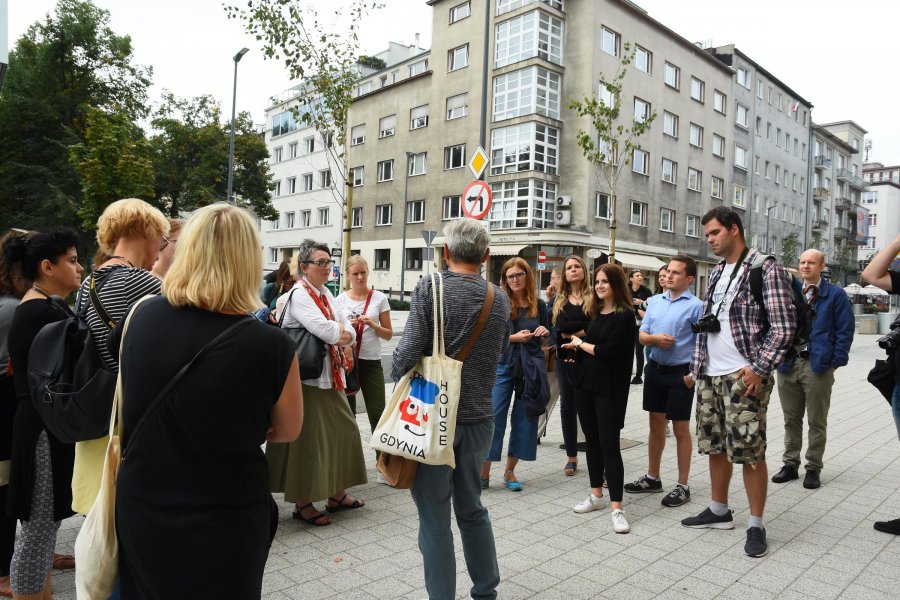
833, 53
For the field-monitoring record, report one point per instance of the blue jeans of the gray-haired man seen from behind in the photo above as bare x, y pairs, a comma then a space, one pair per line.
432, 491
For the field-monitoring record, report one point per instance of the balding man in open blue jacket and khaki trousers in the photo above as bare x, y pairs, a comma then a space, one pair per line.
805, 380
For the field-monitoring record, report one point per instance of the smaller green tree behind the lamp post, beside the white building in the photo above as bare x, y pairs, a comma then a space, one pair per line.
190, 157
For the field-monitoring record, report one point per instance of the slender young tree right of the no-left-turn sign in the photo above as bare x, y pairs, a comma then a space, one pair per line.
610, 142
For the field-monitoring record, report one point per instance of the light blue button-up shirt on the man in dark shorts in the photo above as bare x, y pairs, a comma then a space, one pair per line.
672, 317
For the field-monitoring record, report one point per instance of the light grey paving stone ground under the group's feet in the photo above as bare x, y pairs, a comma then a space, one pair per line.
821, 542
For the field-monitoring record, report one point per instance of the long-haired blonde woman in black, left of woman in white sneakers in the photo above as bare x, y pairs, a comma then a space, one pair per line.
568, 319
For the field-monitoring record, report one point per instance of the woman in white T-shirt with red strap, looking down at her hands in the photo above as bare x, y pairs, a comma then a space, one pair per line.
370, 316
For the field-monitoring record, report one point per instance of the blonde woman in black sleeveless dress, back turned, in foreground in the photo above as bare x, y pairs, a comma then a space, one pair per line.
194, 486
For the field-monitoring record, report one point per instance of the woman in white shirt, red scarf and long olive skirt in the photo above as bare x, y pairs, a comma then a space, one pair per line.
327, 457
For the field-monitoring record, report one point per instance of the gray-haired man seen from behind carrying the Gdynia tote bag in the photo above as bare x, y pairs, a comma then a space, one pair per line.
465, 250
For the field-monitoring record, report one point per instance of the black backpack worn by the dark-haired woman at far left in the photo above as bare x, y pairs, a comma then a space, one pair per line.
71, 387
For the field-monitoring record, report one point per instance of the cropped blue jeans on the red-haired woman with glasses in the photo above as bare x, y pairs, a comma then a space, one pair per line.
523, 432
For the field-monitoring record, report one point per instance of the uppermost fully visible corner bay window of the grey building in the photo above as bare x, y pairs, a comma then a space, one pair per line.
534, 34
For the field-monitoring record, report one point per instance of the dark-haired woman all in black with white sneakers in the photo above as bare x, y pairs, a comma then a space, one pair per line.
602, 368
